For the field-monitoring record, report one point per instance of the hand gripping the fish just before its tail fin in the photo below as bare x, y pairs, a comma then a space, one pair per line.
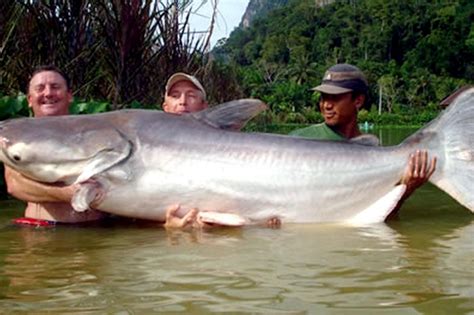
418, 171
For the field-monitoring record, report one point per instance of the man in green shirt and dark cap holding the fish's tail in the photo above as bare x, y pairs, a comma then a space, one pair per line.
343, 92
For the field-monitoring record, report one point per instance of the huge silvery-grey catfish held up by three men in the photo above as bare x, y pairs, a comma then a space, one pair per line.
141, 162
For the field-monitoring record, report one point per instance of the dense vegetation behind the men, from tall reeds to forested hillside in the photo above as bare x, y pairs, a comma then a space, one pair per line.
119, 53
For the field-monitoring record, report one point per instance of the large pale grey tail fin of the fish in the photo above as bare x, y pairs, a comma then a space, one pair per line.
451, 138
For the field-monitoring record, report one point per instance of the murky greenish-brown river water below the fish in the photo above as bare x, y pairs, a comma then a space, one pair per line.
421, 263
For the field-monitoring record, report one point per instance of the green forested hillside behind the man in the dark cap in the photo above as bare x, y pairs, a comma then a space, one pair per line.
416, 53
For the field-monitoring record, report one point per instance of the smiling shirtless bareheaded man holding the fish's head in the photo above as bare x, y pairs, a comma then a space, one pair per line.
49, 94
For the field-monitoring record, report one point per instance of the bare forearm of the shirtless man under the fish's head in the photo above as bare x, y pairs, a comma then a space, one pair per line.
29, 190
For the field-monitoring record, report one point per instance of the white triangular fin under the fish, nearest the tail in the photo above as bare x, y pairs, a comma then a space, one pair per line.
380, 209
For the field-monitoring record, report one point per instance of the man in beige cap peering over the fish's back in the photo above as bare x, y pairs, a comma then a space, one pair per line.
184, 94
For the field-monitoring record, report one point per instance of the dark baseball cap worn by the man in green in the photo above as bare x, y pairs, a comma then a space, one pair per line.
343, 78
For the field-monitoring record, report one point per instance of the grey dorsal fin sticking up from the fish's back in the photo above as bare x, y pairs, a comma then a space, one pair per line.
232, 115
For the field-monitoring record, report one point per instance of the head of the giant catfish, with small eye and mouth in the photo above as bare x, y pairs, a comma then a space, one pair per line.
59, 149
